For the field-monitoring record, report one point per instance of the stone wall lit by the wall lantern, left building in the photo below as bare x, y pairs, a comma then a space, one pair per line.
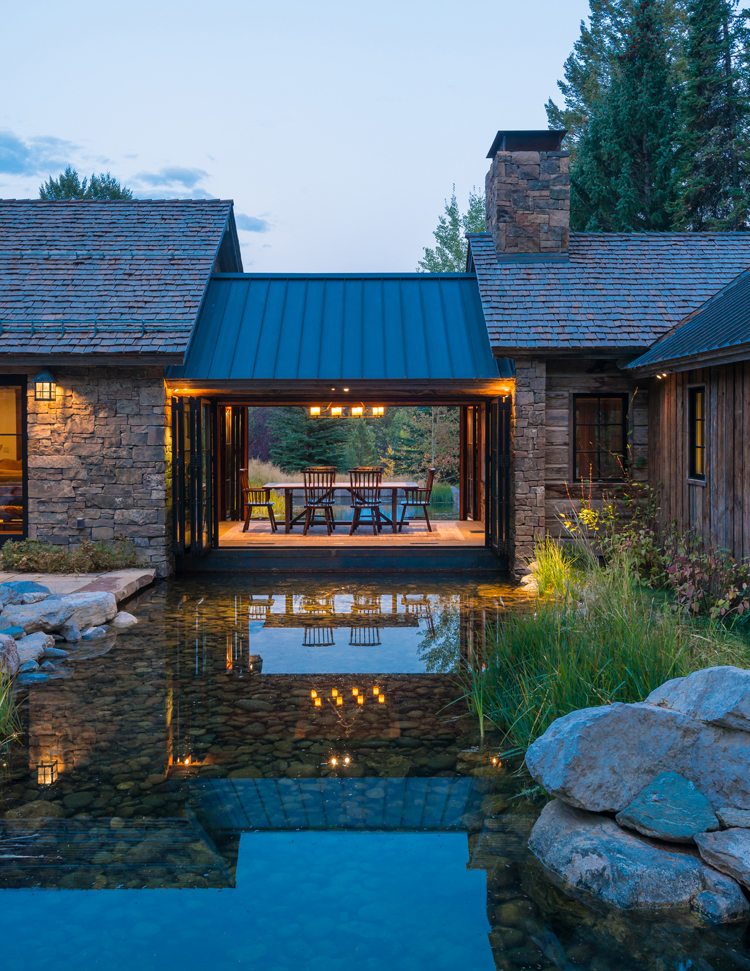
100, 452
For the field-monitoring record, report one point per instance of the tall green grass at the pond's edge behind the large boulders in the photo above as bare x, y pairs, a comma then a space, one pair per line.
595, 637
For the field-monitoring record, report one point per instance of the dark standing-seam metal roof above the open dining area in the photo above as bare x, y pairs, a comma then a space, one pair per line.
288, 327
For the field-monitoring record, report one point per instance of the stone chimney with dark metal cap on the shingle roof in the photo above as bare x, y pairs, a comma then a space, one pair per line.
527, 193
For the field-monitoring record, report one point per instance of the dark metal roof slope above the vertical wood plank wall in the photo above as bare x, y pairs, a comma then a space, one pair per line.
717, 333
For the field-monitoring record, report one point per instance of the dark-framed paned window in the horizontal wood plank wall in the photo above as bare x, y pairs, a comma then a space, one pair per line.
599, 437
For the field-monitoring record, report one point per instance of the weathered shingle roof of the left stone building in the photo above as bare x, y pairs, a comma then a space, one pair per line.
124, 277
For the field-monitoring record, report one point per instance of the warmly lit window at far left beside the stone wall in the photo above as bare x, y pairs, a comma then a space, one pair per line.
12, 491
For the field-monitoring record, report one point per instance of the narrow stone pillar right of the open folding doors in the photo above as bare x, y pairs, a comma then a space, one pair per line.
528, 434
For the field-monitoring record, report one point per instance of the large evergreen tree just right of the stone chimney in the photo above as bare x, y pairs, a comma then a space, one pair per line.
624, 179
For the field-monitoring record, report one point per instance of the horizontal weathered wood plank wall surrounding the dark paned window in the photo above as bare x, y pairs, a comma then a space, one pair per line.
564, 379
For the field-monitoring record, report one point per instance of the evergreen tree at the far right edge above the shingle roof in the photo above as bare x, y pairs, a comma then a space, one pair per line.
715, 169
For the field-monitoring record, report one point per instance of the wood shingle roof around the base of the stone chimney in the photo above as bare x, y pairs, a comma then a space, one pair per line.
616, 291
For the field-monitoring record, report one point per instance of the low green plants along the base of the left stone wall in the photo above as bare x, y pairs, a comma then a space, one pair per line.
33, 556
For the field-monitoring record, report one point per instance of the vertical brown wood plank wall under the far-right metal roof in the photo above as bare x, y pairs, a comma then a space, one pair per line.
719, 511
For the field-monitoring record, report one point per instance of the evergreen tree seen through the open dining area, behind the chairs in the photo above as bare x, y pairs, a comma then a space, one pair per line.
301, 439
